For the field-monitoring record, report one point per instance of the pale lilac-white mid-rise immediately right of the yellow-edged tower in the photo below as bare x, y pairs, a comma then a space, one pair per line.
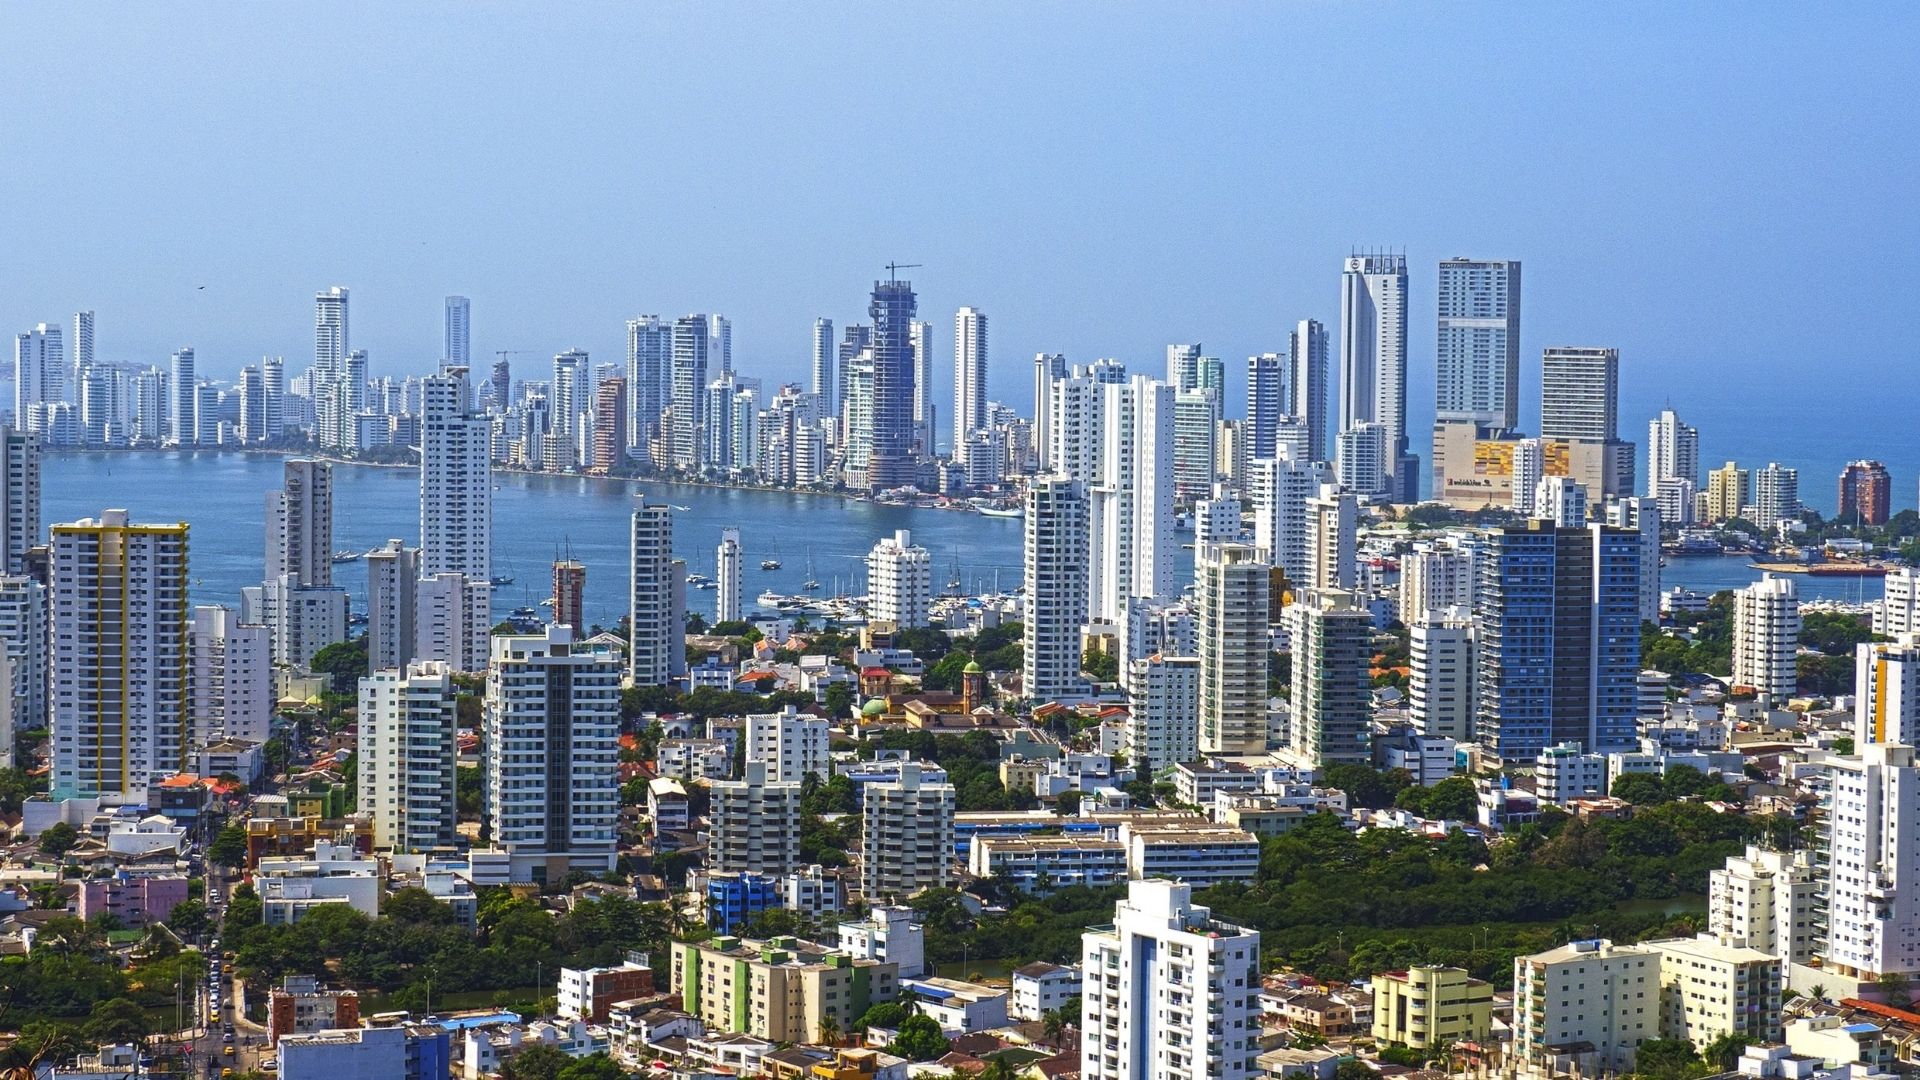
229, 677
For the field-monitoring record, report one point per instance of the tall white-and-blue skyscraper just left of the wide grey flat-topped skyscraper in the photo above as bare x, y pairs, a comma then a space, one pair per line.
1374, 356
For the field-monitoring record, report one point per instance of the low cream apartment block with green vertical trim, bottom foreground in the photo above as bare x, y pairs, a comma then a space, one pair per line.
782, 989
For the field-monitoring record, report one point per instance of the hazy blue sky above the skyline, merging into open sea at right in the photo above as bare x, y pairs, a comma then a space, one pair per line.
1712, 189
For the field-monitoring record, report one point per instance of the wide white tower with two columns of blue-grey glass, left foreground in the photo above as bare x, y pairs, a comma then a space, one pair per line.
552, 754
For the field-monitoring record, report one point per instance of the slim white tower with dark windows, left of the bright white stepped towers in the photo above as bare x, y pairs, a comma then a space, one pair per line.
1055, 589
